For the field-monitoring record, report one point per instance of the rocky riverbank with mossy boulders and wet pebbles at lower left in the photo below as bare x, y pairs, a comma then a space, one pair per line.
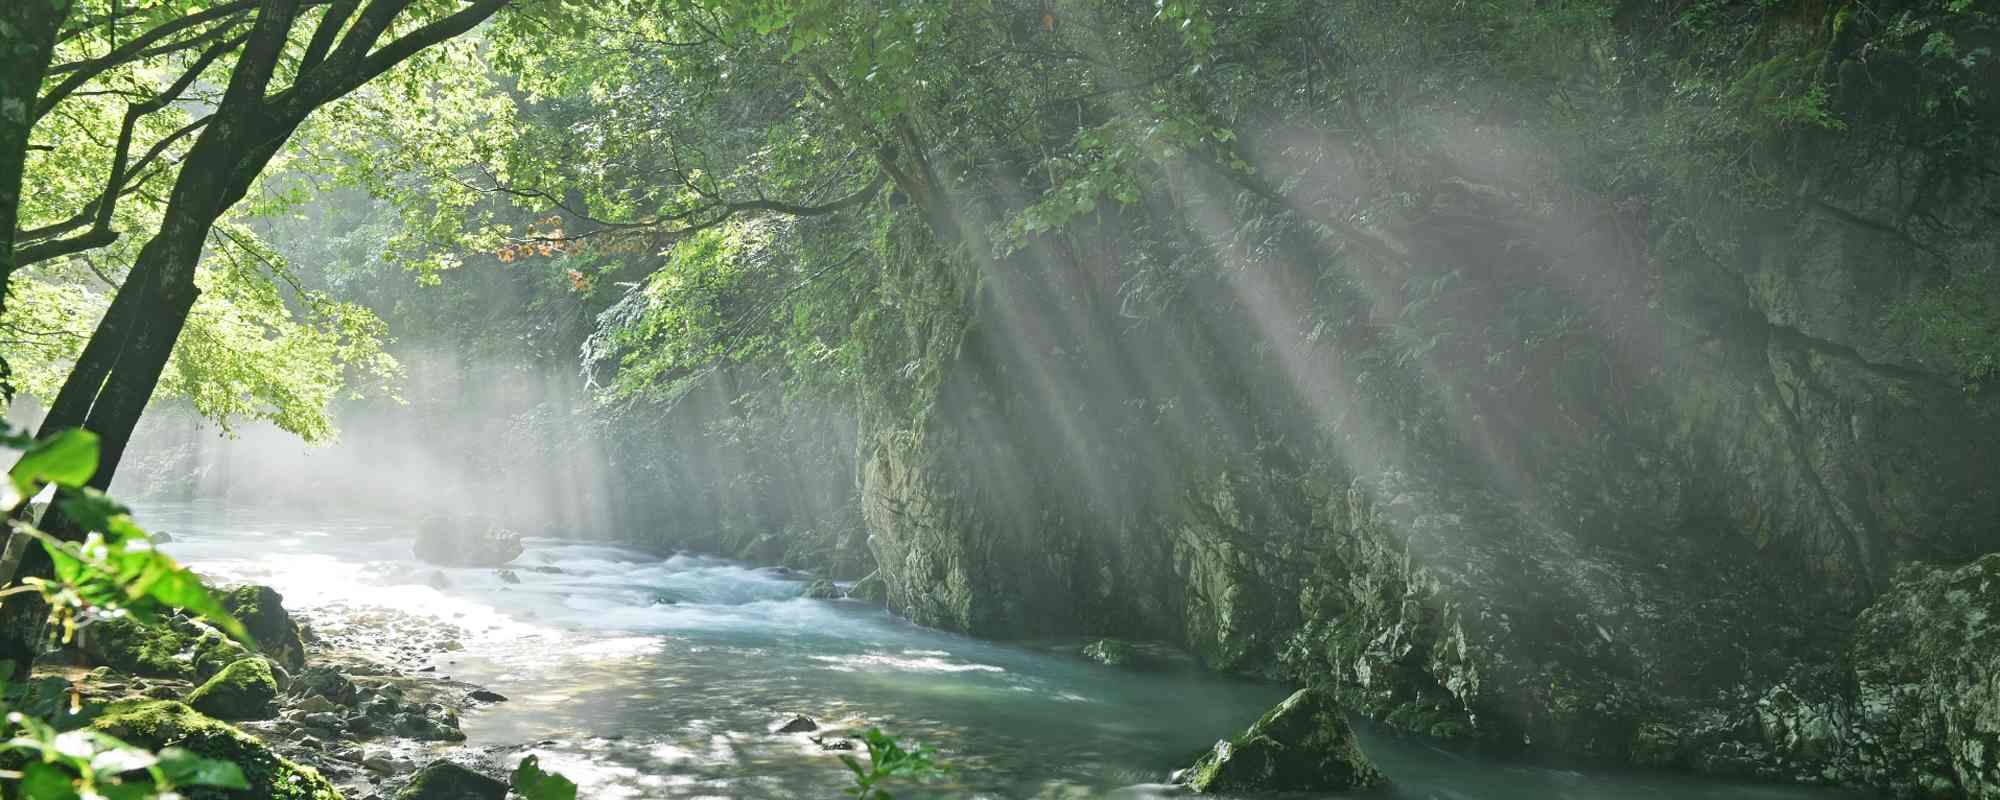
339, 699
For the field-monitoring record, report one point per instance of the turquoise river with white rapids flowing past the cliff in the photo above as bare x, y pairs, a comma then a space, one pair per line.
665, 679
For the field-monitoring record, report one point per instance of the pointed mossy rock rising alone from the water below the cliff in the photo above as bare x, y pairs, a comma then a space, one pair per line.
1301, 747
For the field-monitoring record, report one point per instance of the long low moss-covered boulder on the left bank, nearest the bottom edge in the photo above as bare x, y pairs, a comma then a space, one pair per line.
167, 723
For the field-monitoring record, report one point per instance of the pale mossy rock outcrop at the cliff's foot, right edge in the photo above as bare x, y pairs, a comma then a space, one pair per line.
1927, 669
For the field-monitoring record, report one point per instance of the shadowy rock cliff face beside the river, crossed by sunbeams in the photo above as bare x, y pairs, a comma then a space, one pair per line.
1529, 461
